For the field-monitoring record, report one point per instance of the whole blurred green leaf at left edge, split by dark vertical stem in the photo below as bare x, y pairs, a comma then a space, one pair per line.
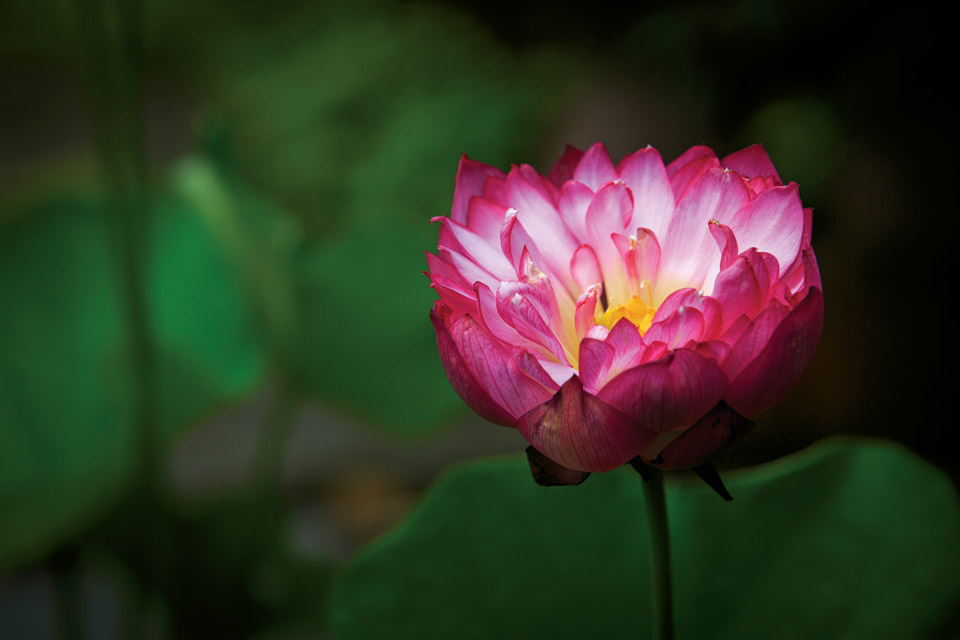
65, 421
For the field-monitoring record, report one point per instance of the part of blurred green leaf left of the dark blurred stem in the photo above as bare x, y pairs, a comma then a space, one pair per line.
65, 430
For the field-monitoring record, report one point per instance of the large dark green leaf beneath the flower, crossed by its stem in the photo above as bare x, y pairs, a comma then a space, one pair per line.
843, 540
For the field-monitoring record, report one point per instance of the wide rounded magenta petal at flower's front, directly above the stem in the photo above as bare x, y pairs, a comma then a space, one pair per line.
670, 393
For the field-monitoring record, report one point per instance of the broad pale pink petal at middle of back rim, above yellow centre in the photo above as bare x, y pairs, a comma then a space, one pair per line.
653, 196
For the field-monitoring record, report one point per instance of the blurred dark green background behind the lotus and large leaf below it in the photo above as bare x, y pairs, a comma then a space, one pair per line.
217, 375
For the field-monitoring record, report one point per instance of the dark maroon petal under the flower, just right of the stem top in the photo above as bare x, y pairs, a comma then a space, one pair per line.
718, 430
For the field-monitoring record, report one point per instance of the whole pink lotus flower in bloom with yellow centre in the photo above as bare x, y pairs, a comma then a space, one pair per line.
616, 313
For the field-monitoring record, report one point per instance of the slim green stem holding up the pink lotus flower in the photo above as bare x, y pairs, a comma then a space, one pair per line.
660, 547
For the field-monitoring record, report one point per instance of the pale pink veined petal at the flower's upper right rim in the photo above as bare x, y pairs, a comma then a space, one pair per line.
773, 224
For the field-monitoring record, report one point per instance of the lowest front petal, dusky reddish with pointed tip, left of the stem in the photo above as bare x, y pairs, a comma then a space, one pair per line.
581, 432
